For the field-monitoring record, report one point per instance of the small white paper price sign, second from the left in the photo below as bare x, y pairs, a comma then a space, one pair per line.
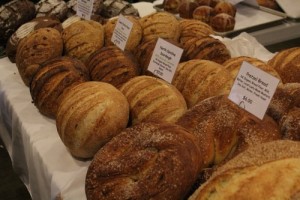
121, 32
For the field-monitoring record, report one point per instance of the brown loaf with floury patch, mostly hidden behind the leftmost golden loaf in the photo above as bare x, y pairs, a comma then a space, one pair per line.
25, 29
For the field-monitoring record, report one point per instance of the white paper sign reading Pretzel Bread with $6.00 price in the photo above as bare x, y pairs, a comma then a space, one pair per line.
253, 89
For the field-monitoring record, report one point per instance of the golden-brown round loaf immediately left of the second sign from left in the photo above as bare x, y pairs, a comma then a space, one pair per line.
83, 38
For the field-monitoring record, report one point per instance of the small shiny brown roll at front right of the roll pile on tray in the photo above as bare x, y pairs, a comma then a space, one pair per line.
222, 22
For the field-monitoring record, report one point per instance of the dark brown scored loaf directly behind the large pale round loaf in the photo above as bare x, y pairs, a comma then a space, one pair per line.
52, 78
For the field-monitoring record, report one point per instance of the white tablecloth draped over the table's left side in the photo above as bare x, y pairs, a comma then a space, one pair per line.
37, 153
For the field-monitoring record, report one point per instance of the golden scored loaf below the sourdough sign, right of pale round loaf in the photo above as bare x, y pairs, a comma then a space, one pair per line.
153, 99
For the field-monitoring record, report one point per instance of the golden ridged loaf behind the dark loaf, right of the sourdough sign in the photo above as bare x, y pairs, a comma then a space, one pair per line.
192, 28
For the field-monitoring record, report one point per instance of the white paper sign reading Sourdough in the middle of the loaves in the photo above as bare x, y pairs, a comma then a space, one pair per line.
164, 60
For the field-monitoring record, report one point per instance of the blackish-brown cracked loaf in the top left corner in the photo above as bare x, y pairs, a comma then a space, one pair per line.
12, 15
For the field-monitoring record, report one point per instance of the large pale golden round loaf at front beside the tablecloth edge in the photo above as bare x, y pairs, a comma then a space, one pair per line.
89, 115
